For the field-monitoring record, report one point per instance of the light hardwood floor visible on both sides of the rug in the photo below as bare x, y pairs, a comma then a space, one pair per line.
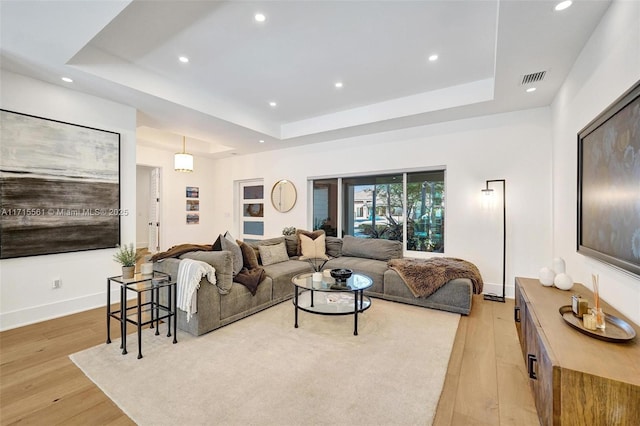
486, 383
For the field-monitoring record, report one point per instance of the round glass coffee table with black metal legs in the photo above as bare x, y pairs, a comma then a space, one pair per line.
328, 297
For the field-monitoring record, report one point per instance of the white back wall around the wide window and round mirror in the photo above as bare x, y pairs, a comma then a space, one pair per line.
514, 146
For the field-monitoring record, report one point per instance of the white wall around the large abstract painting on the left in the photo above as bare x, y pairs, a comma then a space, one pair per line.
26, 293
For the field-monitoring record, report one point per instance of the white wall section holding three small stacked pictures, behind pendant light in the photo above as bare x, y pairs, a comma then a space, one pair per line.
173, 201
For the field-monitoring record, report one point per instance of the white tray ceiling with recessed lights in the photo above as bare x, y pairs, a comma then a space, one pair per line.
128, 51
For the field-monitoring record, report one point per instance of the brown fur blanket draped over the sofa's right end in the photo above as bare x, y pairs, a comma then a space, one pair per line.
425, 276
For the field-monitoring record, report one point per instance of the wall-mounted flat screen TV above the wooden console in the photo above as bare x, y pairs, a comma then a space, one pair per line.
609, 185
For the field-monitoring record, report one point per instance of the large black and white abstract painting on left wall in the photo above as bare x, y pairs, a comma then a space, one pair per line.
59, 187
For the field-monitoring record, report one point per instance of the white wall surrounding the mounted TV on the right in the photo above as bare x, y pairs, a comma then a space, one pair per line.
607, 67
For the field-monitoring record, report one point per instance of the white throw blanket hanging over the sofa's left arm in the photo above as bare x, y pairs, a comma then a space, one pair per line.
190, 272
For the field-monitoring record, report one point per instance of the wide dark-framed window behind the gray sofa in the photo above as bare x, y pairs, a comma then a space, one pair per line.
407, 207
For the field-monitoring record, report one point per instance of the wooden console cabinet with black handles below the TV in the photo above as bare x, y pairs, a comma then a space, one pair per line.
576, 379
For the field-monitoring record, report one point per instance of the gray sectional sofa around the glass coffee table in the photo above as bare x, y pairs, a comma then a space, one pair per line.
228, 300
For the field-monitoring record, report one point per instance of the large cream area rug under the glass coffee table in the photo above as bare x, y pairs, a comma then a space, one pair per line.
262, 371
